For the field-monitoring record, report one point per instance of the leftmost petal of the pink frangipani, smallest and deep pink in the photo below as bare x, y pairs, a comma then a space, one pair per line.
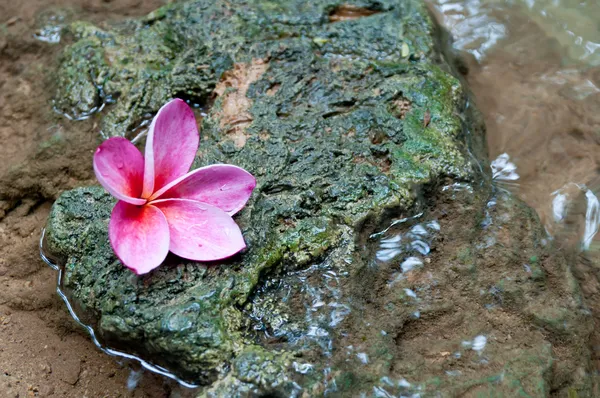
119, 167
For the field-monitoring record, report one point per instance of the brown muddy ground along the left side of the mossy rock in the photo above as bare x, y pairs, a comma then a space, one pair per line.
42, 351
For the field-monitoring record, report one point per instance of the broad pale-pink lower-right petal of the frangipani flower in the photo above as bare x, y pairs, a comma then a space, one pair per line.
200, 231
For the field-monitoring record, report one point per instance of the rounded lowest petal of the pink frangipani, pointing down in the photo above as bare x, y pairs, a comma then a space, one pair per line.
139, 235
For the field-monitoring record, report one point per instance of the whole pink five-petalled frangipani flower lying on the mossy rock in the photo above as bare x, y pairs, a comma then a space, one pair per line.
160, 207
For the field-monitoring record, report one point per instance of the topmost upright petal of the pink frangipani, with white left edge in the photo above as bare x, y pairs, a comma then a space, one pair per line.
171, 145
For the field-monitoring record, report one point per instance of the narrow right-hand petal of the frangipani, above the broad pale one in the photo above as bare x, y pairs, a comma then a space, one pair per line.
222, 185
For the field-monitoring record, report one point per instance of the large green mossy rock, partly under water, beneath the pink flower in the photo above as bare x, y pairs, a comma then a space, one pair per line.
381, 260
